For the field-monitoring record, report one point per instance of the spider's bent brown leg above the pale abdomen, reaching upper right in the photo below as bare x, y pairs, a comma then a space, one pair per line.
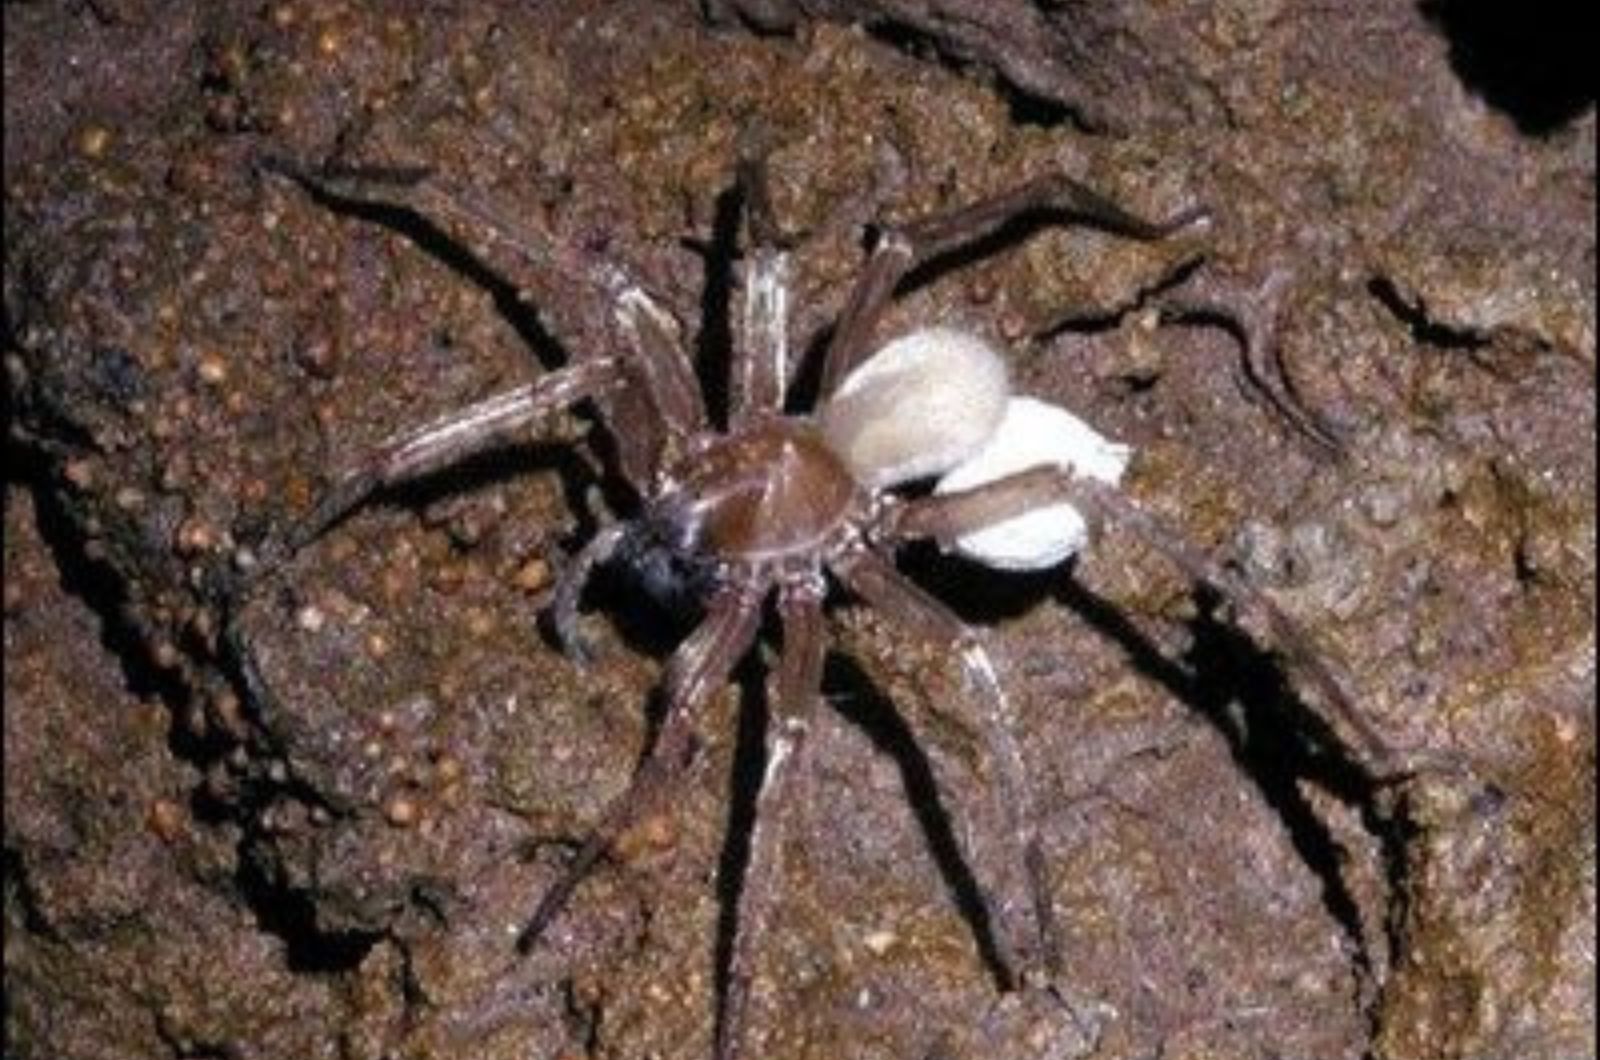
903, 249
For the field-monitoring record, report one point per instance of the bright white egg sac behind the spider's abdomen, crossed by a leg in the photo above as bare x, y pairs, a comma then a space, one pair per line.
1034, 433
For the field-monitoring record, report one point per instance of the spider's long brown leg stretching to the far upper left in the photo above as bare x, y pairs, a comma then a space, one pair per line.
662, 400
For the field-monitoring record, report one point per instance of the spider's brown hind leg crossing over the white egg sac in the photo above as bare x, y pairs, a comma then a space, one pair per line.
951, 516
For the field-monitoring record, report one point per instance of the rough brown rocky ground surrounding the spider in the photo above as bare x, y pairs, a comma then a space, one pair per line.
306, 822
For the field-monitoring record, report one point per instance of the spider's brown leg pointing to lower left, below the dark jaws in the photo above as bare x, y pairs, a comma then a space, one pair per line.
697, 672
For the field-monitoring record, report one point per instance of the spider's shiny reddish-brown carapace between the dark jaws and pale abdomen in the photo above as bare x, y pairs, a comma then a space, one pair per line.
769, 492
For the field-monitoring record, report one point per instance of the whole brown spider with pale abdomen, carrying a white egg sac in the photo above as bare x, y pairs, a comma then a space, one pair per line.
775, 505
